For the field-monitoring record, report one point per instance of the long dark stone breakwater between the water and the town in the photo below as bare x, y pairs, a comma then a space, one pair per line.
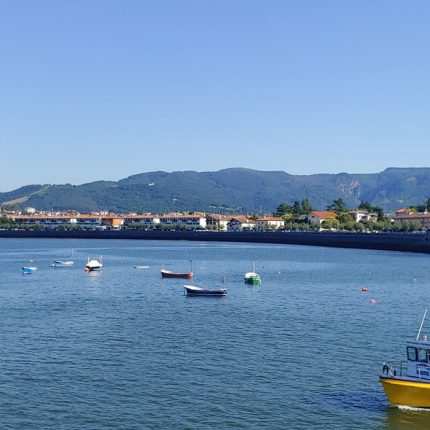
407, 242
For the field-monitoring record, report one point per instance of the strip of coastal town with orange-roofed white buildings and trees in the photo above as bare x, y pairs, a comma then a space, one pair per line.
405, 219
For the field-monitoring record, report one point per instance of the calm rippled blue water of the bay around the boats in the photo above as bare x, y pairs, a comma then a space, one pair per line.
125, 349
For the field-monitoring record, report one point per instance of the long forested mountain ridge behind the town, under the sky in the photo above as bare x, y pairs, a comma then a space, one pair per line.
234, 190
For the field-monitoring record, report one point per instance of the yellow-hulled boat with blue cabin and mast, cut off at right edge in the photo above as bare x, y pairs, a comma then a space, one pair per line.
409, 383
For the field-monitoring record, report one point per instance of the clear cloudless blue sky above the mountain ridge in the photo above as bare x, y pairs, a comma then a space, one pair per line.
102, 89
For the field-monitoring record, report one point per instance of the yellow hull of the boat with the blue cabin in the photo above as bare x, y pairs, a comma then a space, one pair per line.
407, 393
